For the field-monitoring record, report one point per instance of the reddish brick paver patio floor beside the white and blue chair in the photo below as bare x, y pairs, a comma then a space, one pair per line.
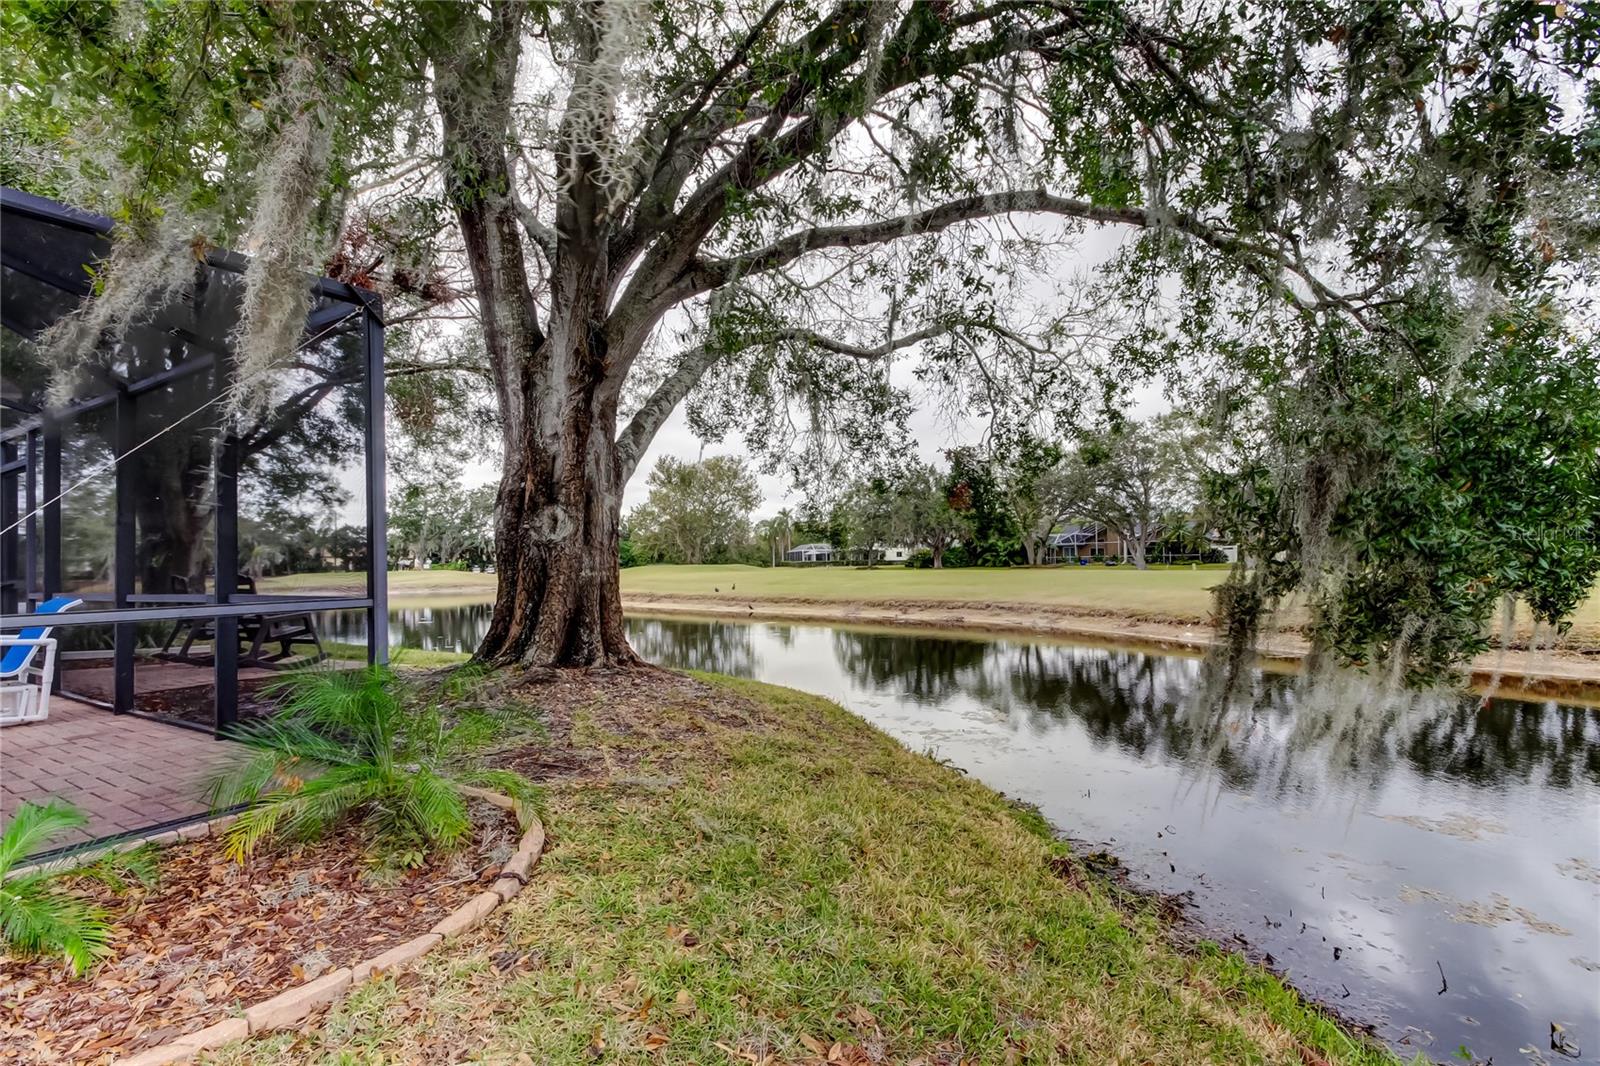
126, 774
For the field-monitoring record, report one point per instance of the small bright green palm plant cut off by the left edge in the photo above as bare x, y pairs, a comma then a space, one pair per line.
38, 916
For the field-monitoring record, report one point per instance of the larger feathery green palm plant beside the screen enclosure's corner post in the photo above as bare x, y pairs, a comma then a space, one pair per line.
350, 743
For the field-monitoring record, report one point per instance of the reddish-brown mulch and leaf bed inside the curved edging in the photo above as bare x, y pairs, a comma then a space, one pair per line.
214, 937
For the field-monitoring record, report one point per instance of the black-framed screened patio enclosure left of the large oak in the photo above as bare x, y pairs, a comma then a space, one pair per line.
204, 540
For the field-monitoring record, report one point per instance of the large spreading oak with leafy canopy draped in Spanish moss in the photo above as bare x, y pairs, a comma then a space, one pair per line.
756, 206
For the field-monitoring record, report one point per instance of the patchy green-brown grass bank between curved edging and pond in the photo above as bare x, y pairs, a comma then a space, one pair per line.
775, 881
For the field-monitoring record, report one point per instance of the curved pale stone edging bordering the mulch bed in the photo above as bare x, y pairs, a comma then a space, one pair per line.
294, 1006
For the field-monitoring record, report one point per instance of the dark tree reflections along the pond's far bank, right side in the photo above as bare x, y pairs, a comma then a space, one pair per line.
1278, 735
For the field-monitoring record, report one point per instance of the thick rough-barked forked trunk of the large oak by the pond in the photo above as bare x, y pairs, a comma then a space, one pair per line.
558, 511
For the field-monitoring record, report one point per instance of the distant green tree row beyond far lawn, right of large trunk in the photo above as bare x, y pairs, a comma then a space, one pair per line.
996, 507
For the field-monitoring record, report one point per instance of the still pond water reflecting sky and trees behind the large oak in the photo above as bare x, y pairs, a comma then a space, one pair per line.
1454, 840
